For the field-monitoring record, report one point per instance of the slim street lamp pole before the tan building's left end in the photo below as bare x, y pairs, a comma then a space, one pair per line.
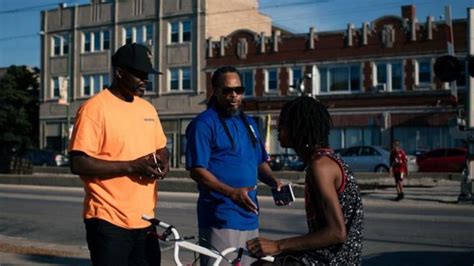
65, 85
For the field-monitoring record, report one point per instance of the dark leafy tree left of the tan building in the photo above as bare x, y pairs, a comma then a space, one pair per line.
19, 109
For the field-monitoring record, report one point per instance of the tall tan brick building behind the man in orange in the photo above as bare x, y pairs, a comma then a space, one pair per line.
78, 41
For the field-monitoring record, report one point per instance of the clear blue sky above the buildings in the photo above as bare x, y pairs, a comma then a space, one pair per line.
20, 19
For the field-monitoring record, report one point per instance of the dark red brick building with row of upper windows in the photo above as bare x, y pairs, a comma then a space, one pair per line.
377, 80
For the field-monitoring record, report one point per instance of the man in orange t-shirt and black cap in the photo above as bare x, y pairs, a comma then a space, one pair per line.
118, 148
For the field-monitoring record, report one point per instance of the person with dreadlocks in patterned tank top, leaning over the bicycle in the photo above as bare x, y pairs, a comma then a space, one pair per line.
333, 204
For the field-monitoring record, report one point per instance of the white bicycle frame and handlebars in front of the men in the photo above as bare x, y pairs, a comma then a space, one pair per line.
182, 243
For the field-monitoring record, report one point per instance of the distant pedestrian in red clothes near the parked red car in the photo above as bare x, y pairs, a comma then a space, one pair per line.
398, 167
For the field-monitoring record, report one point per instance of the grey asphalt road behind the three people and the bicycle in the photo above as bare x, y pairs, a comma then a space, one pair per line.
40, 225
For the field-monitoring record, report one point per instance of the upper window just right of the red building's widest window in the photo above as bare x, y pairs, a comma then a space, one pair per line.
389, 76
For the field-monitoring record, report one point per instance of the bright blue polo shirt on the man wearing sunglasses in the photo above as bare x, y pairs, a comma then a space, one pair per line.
209, 147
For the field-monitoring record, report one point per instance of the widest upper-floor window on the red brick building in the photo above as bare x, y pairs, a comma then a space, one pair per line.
340, 78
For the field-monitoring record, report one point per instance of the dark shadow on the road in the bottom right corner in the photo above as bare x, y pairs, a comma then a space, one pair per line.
432, 258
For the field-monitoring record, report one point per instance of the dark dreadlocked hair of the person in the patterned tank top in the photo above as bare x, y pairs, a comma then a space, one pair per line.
307, 122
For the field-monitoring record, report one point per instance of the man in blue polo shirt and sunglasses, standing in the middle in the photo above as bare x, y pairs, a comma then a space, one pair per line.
225, 156
